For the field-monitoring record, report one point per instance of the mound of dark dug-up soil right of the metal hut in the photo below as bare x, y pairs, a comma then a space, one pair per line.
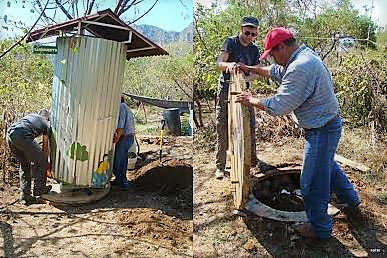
167, 176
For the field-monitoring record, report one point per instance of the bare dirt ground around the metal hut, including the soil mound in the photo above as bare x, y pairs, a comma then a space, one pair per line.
146, 221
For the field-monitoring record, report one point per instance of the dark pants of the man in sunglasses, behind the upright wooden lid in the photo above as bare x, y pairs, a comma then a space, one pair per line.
222, 127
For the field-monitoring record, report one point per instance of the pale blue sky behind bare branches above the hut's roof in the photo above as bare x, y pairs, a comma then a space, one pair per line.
169, 15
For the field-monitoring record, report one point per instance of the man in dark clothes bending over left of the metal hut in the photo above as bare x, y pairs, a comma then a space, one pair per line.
20, 138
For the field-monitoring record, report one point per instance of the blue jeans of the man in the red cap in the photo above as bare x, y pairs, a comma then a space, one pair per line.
321, 174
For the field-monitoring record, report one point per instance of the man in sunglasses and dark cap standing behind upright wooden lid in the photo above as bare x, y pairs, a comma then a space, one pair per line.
234, 50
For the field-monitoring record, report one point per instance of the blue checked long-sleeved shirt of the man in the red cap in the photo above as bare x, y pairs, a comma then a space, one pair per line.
306, 88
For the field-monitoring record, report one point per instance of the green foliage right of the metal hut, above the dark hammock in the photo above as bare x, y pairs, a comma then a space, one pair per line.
162, 76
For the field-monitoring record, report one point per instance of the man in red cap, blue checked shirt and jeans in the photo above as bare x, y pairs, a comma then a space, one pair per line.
306, 89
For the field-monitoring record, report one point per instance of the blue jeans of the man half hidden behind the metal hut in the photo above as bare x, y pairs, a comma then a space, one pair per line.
120, 164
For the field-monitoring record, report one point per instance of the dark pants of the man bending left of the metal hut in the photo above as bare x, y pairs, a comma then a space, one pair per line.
26, 150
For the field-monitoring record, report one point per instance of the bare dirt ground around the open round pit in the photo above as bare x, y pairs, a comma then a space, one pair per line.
218, 232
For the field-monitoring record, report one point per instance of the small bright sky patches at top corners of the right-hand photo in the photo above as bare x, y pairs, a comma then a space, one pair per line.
379, 12
